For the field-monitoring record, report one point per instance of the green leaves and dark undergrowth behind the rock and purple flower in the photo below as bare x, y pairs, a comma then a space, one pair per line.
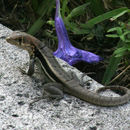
99, 26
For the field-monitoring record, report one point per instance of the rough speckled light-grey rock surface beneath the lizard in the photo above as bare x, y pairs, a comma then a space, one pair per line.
70, 113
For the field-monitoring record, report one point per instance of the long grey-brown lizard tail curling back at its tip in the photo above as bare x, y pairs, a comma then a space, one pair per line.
96, 98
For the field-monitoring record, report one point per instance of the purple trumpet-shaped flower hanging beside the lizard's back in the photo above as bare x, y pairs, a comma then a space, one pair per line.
65, 50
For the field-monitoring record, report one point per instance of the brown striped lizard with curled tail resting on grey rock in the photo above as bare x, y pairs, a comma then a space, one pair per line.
51, 67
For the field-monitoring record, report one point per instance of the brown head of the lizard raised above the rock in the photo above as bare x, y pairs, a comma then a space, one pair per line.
21, 40
